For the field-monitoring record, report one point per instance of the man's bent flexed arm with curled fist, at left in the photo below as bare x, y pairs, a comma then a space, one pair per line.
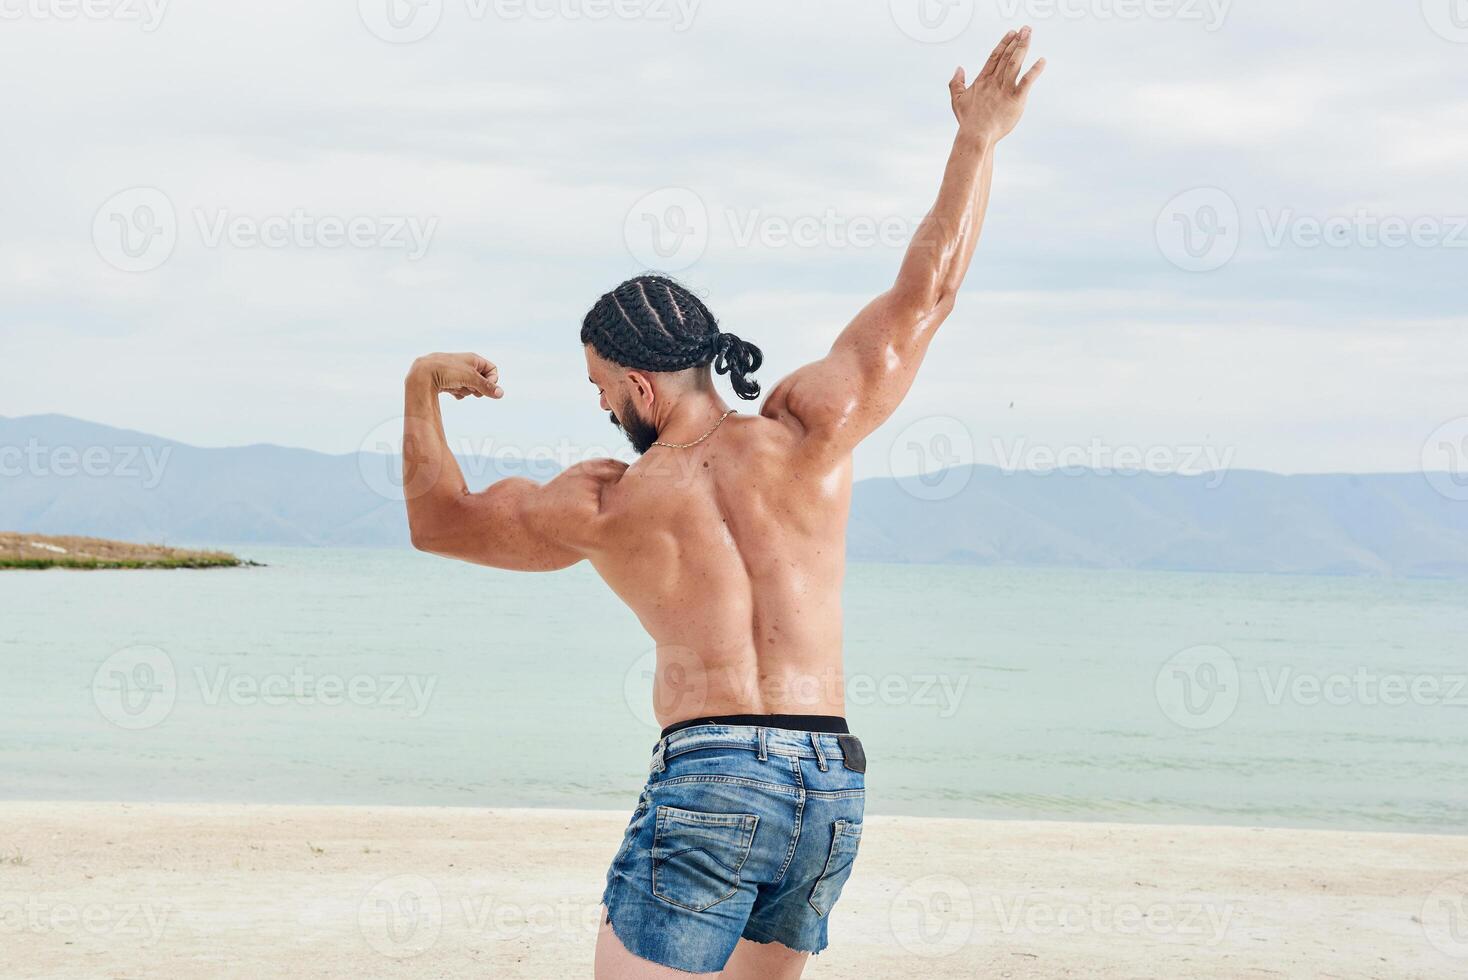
516, 523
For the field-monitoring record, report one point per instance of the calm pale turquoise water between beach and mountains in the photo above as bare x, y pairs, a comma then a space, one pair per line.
394, 679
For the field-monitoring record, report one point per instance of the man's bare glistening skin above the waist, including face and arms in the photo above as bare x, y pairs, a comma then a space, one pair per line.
730, 552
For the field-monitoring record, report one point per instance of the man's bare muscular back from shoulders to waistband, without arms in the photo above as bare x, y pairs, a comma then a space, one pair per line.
732, 554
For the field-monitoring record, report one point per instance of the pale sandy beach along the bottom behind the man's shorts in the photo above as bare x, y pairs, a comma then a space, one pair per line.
262, 891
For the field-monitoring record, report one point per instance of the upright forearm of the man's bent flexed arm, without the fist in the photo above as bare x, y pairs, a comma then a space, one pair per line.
432, 482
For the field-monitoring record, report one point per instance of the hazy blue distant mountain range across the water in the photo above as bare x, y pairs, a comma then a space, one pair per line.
64, 476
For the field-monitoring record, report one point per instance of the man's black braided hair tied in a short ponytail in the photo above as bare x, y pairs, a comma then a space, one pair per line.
653, 323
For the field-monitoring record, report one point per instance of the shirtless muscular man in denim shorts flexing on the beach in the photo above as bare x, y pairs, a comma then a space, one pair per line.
727, 539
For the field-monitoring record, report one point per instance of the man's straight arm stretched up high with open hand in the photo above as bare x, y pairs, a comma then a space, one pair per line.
846, 395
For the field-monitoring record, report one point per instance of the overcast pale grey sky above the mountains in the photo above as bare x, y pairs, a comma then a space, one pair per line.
1224, 231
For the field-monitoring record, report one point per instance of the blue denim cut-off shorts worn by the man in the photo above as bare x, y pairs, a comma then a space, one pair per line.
742, 833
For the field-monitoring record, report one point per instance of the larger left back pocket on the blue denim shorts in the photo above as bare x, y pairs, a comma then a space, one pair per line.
697, 857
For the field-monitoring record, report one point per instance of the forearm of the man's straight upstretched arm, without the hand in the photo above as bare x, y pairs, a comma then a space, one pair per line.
943, 249
